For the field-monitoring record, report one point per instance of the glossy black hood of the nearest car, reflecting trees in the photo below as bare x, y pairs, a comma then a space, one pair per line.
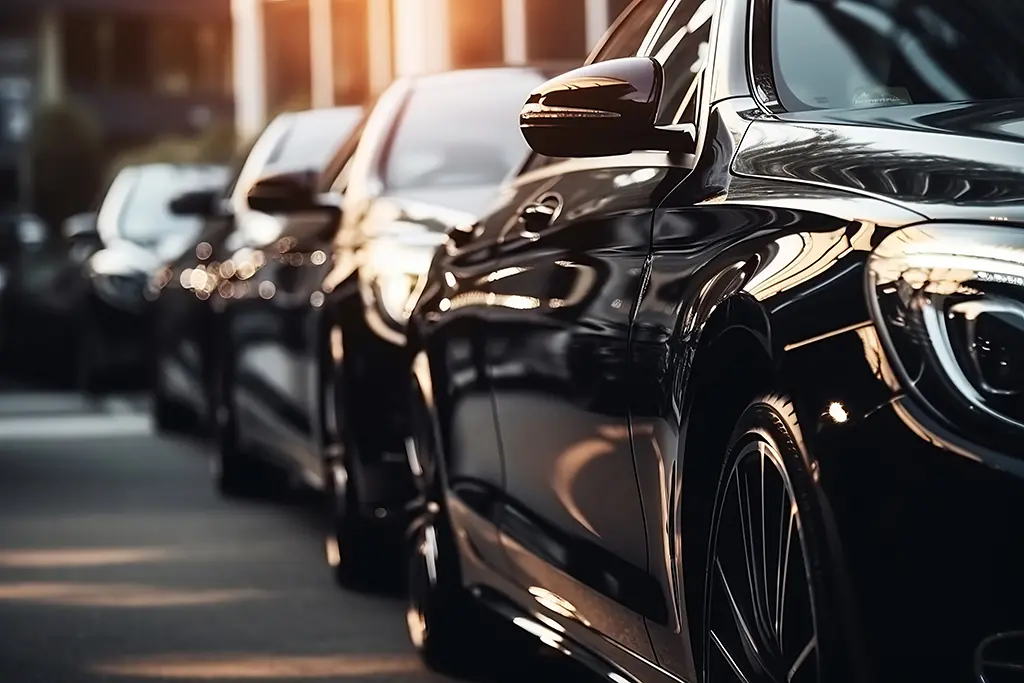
963, 161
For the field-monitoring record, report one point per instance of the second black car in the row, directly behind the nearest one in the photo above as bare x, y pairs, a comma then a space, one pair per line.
317, 372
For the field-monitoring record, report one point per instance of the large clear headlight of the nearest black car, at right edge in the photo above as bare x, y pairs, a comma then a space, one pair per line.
949, 303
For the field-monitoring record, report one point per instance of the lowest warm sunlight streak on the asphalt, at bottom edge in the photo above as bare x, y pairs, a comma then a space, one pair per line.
263, 667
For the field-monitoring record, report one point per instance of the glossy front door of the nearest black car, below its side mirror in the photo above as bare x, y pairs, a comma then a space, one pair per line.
571, 271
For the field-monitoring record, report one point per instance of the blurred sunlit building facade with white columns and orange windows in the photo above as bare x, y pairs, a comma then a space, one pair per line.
323, 53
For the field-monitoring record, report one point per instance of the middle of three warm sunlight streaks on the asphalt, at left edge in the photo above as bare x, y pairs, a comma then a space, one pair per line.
121, 595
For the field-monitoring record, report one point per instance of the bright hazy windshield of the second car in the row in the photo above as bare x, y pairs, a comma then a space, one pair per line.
448, 139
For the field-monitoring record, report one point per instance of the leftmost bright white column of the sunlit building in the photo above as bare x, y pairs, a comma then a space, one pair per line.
250, 68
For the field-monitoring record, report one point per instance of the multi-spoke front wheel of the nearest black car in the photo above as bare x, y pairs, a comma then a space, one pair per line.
771, 599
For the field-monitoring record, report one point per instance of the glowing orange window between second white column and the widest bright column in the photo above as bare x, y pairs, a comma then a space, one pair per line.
350, 33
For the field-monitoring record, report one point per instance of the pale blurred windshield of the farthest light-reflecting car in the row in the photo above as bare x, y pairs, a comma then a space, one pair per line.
146, 219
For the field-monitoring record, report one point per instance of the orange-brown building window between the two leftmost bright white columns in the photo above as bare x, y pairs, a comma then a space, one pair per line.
289, 65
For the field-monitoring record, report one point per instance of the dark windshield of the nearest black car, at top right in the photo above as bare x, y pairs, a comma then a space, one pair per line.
863, 54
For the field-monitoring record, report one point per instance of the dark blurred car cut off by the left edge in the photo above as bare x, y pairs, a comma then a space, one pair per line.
41, 292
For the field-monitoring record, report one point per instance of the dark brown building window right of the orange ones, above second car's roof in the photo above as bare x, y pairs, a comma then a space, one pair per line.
557, 30
